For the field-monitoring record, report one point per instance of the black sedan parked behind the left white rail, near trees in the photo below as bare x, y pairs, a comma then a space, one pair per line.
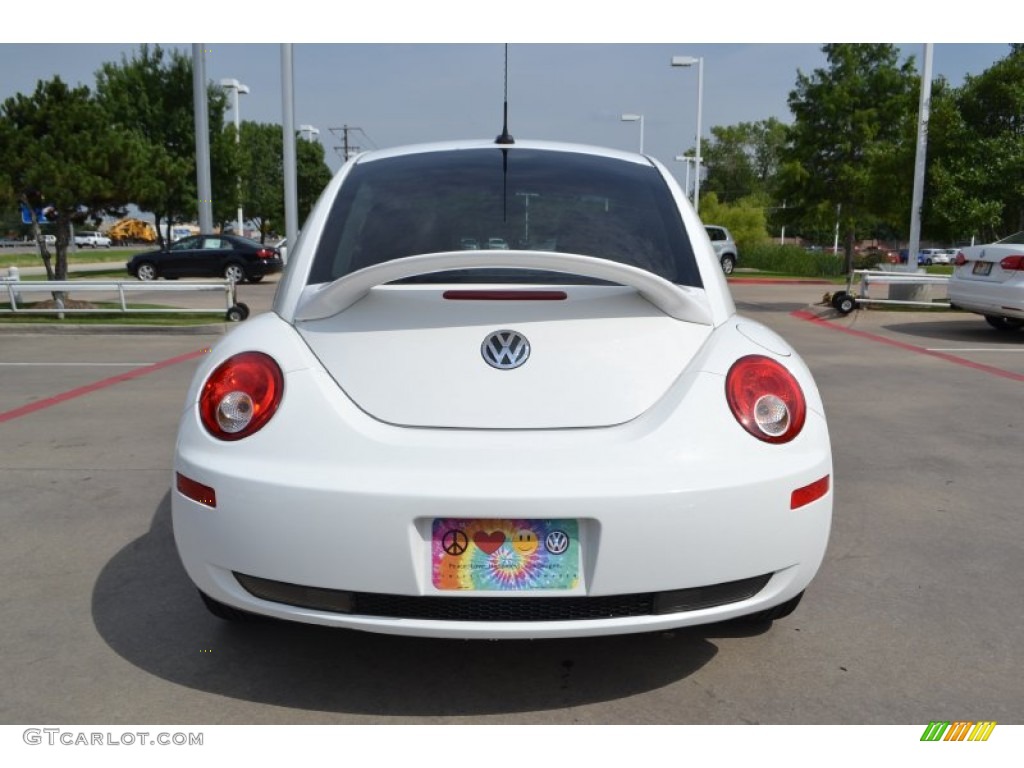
226, 257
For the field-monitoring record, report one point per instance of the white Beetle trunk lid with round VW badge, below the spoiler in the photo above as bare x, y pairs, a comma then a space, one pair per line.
409, 356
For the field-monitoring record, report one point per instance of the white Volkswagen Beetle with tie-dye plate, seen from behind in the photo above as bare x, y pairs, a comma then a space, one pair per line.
429, 441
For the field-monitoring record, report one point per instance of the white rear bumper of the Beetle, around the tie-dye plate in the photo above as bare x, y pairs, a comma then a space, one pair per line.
678, 500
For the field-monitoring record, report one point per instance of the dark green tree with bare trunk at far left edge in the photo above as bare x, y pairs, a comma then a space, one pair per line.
59, 153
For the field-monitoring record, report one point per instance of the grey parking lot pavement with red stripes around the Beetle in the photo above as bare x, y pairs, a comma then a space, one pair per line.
916, 616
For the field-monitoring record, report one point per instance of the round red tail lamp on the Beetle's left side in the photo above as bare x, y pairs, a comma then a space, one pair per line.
241, 396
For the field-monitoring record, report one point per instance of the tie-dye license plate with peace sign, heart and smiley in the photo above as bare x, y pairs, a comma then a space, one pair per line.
505, 556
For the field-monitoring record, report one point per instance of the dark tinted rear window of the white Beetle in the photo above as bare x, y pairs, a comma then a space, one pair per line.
493, 199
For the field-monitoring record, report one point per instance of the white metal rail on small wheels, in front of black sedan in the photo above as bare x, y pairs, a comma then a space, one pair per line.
117, 290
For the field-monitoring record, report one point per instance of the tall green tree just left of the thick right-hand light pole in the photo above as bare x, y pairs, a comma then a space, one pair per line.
850, 119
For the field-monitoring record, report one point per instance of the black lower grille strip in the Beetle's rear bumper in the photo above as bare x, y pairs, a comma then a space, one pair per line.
444, 609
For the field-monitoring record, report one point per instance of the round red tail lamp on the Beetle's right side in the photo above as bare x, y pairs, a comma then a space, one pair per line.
765, 399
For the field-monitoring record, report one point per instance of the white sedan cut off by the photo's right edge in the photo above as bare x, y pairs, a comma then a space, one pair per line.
990, 281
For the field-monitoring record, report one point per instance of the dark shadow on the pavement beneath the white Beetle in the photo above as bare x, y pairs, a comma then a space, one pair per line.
147, 610
